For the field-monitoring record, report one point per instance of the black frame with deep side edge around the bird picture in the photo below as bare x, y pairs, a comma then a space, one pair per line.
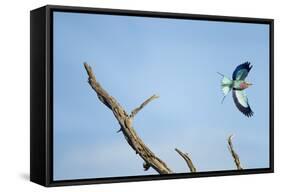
41, 94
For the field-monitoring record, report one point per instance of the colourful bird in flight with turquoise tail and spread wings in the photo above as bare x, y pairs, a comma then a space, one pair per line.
237, 85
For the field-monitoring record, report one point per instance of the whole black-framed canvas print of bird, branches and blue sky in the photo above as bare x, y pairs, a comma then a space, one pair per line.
125, 95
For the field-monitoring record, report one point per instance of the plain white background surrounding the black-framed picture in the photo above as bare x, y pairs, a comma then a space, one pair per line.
14, 94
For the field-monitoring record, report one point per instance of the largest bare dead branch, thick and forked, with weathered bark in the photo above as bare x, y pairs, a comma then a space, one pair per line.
126, 123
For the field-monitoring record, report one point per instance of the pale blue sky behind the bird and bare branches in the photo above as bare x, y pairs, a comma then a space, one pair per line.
135, 57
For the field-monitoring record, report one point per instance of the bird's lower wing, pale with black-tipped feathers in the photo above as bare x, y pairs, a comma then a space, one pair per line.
241, 102
